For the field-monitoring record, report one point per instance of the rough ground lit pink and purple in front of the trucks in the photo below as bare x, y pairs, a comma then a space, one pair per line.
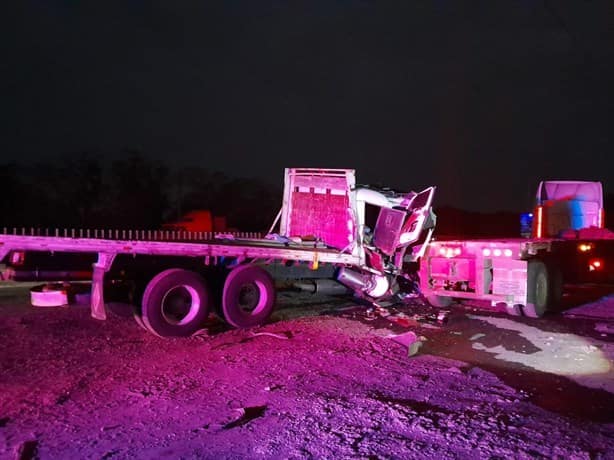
326, 378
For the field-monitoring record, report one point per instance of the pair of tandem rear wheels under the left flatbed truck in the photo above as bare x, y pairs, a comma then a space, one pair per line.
177, 302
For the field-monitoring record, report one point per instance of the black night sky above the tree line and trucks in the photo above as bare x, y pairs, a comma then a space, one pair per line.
481, 98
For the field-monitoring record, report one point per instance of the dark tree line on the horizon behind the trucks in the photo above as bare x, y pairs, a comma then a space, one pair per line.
137, 193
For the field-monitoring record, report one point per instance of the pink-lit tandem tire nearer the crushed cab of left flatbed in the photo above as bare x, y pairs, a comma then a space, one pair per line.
248, 297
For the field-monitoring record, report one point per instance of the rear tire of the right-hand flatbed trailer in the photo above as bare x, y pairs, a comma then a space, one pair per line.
544, 288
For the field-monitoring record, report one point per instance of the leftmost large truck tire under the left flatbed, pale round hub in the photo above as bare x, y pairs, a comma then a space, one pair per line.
175, 303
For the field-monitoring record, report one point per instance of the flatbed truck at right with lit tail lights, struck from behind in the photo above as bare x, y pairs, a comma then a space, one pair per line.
568, 244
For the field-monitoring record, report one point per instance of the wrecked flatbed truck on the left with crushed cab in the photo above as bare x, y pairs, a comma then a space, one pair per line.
184, 276
